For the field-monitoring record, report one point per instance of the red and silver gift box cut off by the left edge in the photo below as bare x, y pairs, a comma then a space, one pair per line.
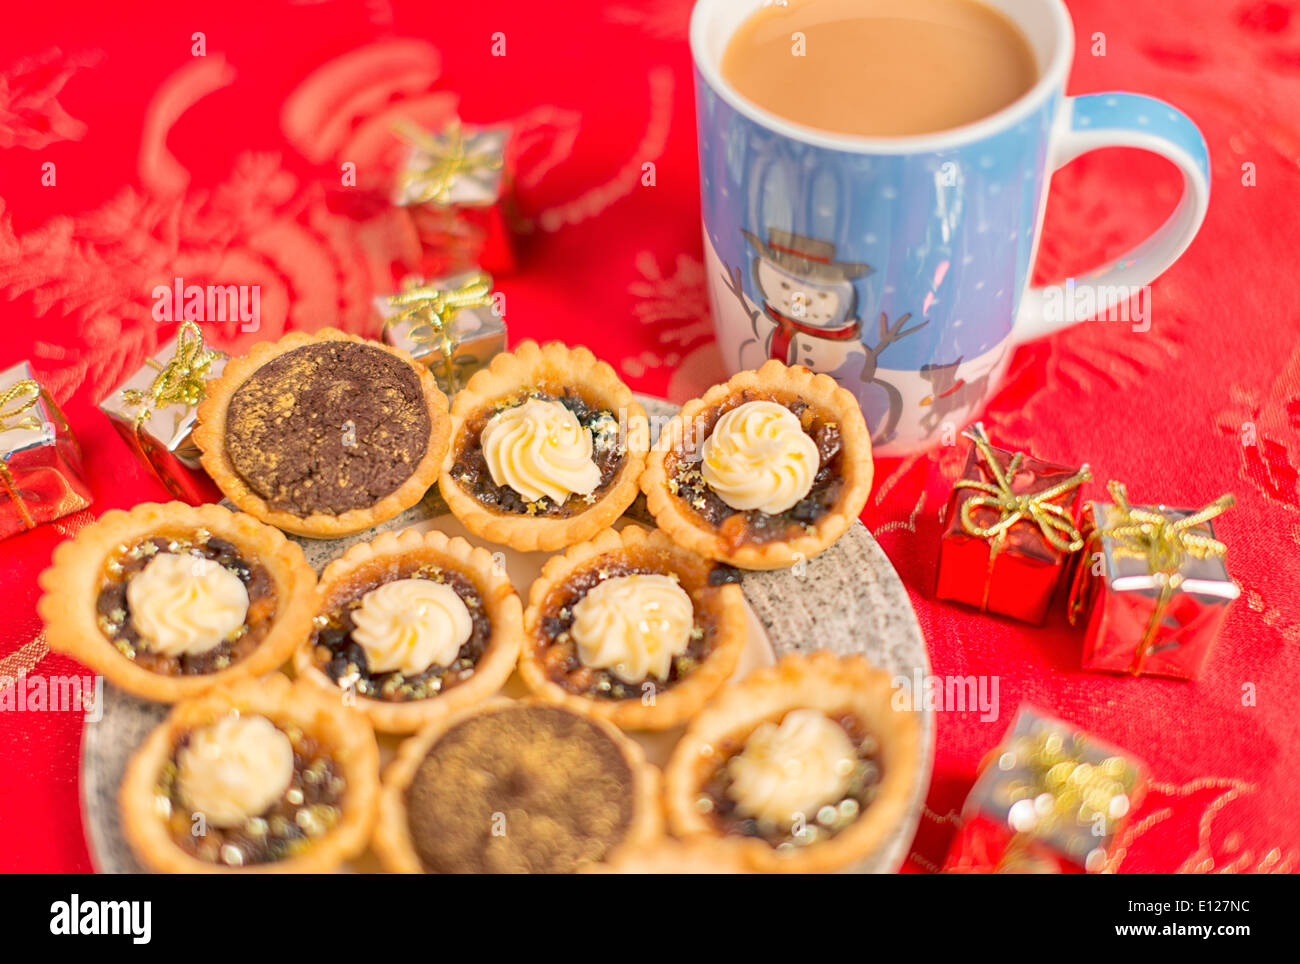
41, 463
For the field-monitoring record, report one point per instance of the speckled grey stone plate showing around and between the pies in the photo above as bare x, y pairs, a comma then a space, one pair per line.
848, 600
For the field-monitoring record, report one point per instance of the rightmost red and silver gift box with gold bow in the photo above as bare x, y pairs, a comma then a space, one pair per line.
1152, 587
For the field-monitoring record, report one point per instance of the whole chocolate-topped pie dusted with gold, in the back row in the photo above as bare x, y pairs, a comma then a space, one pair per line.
324, 435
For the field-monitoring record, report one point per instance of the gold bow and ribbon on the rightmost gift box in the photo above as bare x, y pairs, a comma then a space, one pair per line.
1164, 544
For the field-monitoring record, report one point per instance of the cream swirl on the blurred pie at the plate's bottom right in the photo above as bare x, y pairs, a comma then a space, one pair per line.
792, 768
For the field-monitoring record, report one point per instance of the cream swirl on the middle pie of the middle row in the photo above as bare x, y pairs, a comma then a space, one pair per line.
409, 626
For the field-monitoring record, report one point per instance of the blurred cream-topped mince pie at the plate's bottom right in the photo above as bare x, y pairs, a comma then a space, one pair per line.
807, 763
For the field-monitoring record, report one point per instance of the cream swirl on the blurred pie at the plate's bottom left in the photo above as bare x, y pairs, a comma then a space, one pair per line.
235, 770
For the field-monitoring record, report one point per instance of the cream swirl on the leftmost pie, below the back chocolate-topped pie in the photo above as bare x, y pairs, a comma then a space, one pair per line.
185, 606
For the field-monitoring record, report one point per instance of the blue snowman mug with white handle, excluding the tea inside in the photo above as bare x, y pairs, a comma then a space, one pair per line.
902, 266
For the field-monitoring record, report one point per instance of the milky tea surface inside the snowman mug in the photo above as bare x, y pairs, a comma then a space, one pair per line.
879, 68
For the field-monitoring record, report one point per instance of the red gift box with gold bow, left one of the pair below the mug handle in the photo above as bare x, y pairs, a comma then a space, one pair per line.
1011, 528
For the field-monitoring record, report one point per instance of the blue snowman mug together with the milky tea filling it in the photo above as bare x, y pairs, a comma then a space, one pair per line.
873, 183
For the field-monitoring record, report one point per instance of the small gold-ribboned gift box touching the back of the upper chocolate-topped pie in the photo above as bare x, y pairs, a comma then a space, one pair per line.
449, 324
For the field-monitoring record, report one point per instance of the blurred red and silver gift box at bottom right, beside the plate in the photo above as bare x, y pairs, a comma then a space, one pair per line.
1050, 800
